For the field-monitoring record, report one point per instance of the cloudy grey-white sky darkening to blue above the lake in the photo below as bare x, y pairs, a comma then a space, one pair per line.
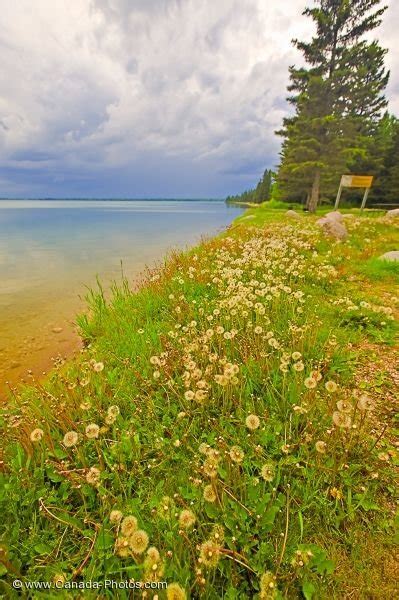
148, 98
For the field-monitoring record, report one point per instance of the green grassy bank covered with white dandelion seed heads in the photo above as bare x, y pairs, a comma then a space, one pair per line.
228, 429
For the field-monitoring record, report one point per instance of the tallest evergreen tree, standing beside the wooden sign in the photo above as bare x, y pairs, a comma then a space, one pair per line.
338, 98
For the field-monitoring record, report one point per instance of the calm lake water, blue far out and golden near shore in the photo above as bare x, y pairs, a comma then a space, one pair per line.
52, 250
